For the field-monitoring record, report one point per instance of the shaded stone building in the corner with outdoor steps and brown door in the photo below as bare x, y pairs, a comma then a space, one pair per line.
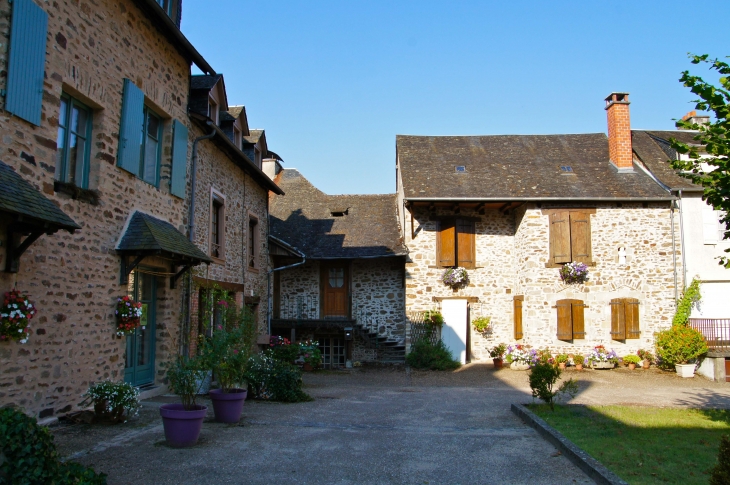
348, 293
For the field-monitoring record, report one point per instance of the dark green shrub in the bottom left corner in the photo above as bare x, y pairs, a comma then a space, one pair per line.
30, 456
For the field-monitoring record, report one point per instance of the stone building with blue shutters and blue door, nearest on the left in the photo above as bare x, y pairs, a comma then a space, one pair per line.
95, 122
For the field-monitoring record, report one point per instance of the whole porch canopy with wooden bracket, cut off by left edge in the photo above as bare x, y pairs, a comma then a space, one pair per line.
31, 215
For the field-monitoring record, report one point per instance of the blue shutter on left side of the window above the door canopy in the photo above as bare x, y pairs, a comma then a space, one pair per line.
130, 129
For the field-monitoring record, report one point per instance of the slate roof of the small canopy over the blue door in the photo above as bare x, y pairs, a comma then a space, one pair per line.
147, 234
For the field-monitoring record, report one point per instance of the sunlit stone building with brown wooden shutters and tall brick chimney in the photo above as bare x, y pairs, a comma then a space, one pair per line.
513, 210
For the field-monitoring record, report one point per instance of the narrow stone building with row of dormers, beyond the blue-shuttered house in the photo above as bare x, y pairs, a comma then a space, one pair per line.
230, 203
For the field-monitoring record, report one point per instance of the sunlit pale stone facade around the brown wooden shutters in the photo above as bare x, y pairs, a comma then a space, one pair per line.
512, 251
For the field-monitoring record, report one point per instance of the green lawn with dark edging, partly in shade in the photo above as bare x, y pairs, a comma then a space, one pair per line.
645, 445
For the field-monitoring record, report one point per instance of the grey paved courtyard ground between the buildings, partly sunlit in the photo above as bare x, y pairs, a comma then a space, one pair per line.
375, 426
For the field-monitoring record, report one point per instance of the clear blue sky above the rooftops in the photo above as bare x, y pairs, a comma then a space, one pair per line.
333, 83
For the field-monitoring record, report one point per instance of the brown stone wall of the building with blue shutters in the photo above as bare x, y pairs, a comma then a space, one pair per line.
74, 279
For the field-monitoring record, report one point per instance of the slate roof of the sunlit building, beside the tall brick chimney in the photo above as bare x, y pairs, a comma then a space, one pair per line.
517, 167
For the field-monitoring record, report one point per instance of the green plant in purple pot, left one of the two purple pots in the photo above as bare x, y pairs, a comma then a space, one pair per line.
183, 421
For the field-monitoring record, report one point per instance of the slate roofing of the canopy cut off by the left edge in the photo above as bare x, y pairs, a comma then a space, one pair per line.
19, 197
